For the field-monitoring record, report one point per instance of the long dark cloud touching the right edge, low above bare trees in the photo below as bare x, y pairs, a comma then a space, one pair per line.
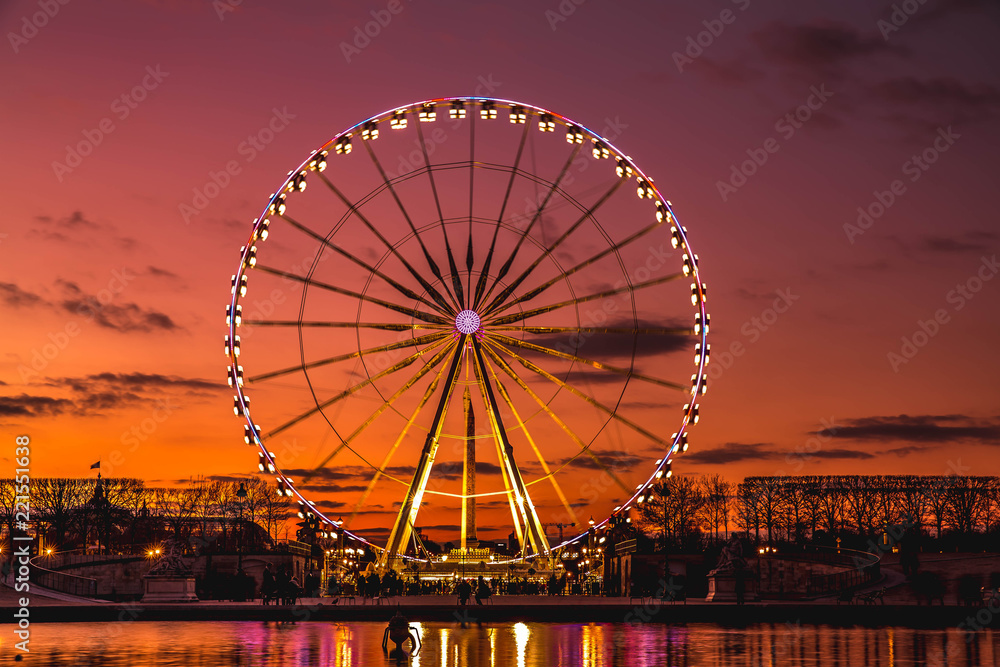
928, 429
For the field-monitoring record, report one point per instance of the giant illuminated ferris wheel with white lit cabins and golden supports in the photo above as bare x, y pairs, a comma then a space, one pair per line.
495, 330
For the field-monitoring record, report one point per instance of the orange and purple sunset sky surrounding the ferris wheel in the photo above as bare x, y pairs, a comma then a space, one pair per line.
864, 212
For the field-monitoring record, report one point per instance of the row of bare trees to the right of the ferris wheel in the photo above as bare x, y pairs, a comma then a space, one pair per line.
959, 510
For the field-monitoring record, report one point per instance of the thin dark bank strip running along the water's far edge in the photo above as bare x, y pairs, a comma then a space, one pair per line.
723, 614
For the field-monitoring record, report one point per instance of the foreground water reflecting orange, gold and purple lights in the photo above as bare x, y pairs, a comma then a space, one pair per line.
501, 645
